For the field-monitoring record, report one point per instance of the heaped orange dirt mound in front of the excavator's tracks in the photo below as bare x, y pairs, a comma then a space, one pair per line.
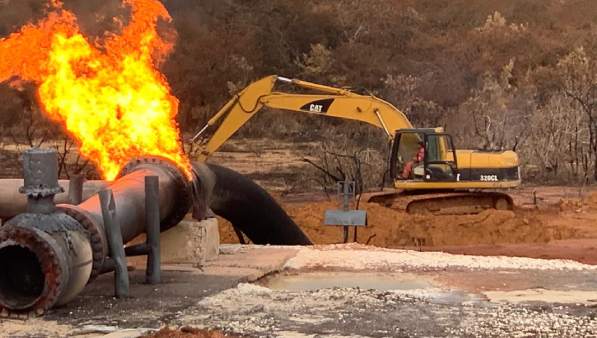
391, 228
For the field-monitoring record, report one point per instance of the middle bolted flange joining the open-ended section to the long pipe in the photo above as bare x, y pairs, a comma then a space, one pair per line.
97, 236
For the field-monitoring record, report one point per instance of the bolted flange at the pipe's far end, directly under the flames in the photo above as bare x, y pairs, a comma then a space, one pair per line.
183, 187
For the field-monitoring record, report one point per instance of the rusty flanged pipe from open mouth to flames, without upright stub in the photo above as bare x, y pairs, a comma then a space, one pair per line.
46, 260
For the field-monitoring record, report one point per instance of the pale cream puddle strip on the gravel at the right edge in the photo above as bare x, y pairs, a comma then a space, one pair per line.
542, 296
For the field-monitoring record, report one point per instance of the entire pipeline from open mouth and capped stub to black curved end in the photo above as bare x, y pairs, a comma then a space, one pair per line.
49, 253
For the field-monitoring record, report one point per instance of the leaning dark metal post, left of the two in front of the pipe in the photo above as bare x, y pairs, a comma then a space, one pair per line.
114, 237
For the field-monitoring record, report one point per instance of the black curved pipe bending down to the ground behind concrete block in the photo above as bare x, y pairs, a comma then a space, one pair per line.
246, 205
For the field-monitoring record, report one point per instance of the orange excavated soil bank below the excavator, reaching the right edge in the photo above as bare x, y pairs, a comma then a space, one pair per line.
569, 218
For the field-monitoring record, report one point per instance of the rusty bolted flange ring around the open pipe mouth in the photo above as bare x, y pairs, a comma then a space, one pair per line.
52, 260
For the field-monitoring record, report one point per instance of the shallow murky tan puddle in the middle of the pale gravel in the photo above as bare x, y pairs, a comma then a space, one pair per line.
322, 280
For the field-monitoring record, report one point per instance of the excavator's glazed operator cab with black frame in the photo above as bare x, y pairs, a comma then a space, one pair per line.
439, 164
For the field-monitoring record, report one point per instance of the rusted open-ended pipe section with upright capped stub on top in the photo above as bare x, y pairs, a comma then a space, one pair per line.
45, 256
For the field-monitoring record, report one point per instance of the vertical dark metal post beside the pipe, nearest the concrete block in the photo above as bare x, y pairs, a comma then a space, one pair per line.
152, 209
